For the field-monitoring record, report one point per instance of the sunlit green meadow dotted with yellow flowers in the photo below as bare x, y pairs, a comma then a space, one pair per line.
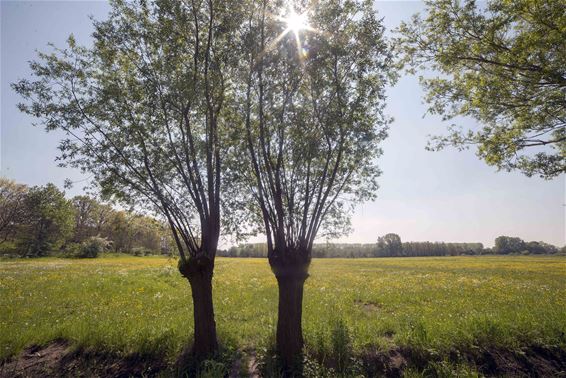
142, 305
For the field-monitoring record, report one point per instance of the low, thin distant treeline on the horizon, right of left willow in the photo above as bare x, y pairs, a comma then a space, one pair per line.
390, 245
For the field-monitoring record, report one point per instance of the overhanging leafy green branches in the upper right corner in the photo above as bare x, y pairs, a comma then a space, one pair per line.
502, 63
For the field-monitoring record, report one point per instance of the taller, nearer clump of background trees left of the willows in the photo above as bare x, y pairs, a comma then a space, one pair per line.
40, 221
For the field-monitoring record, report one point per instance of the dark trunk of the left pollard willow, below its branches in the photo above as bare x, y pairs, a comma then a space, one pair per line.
199, 274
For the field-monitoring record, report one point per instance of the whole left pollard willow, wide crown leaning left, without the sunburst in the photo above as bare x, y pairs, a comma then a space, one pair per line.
143, 109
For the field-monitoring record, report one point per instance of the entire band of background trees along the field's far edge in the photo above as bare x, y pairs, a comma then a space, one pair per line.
39, 221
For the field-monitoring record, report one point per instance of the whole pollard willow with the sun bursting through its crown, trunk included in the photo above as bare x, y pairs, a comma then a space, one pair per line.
314, 118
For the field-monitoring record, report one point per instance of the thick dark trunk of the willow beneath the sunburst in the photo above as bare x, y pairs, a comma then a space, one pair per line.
289, 337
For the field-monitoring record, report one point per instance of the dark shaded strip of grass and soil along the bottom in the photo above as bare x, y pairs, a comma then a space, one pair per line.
331, 358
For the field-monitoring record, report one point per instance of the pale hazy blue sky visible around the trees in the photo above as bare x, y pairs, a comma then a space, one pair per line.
436, 196
